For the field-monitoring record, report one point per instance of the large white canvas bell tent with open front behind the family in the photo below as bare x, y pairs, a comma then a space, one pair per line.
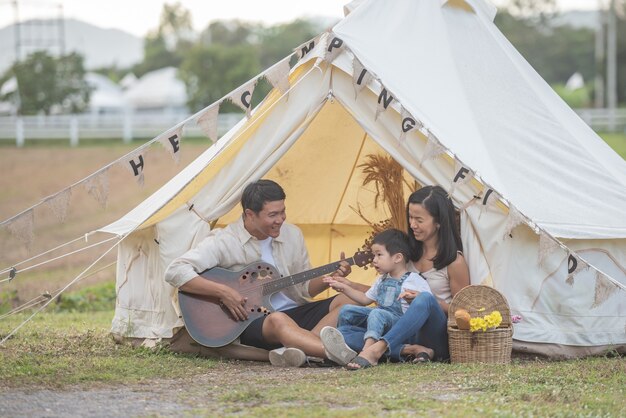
554, 244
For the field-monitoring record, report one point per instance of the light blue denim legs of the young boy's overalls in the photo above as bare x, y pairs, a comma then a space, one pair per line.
376, 321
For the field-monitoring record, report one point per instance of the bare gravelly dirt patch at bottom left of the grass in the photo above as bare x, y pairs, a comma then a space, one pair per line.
151, 398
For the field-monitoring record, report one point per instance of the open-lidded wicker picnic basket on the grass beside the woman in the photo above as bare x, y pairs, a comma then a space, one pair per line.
491, 346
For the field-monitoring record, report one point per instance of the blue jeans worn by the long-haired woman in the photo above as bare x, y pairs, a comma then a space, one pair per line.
423, 323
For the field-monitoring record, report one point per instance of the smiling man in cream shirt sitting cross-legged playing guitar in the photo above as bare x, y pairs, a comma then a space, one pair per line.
262, 234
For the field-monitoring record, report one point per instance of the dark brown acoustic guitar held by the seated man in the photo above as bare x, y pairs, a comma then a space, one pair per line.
211, 324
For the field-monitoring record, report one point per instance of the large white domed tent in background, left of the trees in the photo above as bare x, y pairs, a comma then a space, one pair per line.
158, 91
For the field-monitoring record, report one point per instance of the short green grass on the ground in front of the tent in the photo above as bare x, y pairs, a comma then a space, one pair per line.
58, 351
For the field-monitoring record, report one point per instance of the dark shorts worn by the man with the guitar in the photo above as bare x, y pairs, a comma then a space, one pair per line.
306, 316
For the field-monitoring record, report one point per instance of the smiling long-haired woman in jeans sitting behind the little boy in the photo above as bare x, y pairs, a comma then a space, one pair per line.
421, 333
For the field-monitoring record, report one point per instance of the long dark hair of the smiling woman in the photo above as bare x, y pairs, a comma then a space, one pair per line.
440, 206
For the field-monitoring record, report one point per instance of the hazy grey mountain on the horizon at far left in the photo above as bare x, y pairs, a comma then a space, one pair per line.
99, 46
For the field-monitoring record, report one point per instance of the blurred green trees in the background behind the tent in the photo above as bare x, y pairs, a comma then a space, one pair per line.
226, 54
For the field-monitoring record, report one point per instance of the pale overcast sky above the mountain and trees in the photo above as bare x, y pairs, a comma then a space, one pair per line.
140, 16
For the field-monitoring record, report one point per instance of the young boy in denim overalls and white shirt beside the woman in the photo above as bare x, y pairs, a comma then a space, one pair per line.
391, 250
